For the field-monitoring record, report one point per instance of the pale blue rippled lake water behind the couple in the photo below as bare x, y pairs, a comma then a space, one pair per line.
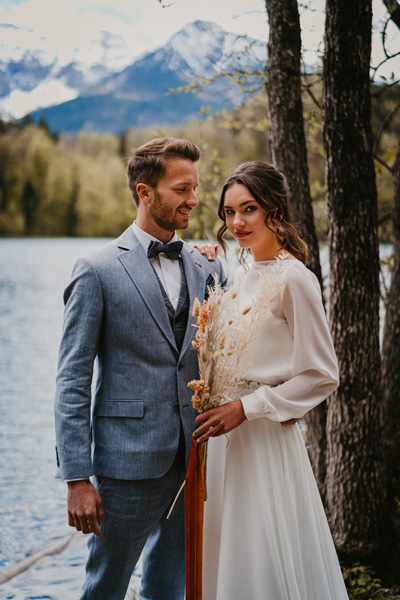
33, 275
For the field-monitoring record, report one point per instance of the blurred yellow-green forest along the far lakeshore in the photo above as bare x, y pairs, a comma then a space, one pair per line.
66, 186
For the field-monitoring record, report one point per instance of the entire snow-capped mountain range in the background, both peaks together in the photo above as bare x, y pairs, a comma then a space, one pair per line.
96, 99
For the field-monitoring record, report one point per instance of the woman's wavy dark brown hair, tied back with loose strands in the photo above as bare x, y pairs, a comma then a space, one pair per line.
270, 189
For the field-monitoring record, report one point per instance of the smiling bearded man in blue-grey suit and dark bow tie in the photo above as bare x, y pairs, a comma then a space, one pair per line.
128, 305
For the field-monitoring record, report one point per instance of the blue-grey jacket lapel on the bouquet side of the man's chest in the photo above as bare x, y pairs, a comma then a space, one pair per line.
196, 282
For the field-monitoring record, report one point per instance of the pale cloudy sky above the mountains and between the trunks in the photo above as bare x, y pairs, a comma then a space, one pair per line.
61, 25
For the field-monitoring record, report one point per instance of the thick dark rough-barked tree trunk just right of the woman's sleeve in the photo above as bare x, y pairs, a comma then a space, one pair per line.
354, 474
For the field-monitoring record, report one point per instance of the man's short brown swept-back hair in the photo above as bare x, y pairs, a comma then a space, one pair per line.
148, 163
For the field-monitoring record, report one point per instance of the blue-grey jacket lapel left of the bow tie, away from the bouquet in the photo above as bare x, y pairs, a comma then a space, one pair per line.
140, 271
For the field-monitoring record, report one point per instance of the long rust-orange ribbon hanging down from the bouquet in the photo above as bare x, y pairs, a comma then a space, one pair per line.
194, 515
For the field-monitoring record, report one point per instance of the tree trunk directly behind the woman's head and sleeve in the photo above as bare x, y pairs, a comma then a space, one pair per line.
289, 153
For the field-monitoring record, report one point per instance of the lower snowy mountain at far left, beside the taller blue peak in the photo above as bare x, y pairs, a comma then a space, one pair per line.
33, 76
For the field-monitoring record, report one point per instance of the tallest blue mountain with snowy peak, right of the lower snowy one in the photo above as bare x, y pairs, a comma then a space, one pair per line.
139, 94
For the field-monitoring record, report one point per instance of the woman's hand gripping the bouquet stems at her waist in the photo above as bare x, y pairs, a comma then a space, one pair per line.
219, 421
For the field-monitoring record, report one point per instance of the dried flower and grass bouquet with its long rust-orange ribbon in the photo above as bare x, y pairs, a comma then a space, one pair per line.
225, 330
